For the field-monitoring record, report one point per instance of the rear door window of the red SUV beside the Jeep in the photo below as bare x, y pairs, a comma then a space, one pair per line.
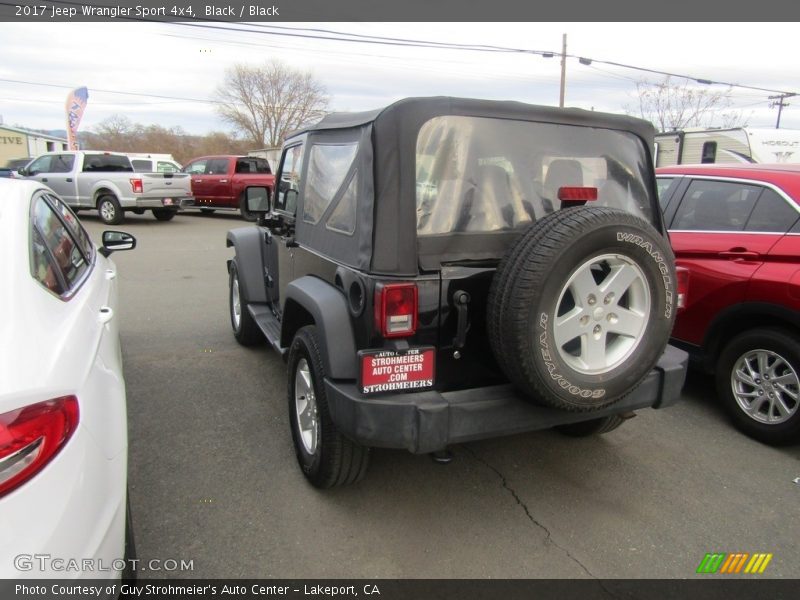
710, 205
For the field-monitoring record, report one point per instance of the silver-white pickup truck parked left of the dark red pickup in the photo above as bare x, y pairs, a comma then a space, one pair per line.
106, 181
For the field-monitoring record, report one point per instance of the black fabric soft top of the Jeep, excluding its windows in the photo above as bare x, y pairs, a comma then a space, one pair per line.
387, 240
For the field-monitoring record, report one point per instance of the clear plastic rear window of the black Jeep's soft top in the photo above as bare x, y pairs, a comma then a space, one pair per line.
484, 175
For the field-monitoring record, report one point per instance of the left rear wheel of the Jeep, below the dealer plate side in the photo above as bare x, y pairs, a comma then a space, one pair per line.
325, 456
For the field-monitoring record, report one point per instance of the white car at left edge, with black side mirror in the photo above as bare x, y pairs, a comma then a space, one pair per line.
63, 422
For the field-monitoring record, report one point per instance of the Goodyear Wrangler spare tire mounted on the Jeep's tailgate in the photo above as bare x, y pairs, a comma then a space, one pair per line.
581, 307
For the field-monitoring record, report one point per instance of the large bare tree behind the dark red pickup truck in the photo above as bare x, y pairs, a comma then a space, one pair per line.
268, 102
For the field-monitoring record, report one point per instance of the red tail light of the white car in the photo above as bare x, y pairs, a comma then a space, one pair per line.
31, 436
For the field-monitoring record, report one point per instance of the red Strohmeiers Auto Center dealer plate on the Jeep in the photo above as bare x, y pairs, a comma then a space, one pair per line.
390, 371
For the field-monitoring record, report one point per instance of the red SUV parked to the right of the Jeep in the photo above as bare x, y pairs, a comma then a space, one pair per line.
735, 229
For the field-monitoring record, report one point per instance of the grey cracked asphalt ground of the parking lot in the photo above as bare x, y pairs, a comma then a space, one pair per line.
213, 478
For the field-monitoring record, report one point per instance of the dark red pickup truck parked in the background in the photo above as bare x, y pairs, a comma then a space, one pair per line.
218, 182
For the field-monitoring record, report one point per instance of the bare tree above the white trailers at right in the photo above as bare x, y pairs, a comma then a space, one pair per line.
670, 105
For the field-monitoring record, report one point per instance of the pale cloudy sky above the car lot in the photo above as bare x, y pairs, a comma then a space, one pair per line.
44, 60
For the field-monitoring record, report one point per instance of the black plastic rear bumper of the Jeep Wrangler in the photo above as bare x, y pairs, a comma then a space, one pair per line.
428, 421
